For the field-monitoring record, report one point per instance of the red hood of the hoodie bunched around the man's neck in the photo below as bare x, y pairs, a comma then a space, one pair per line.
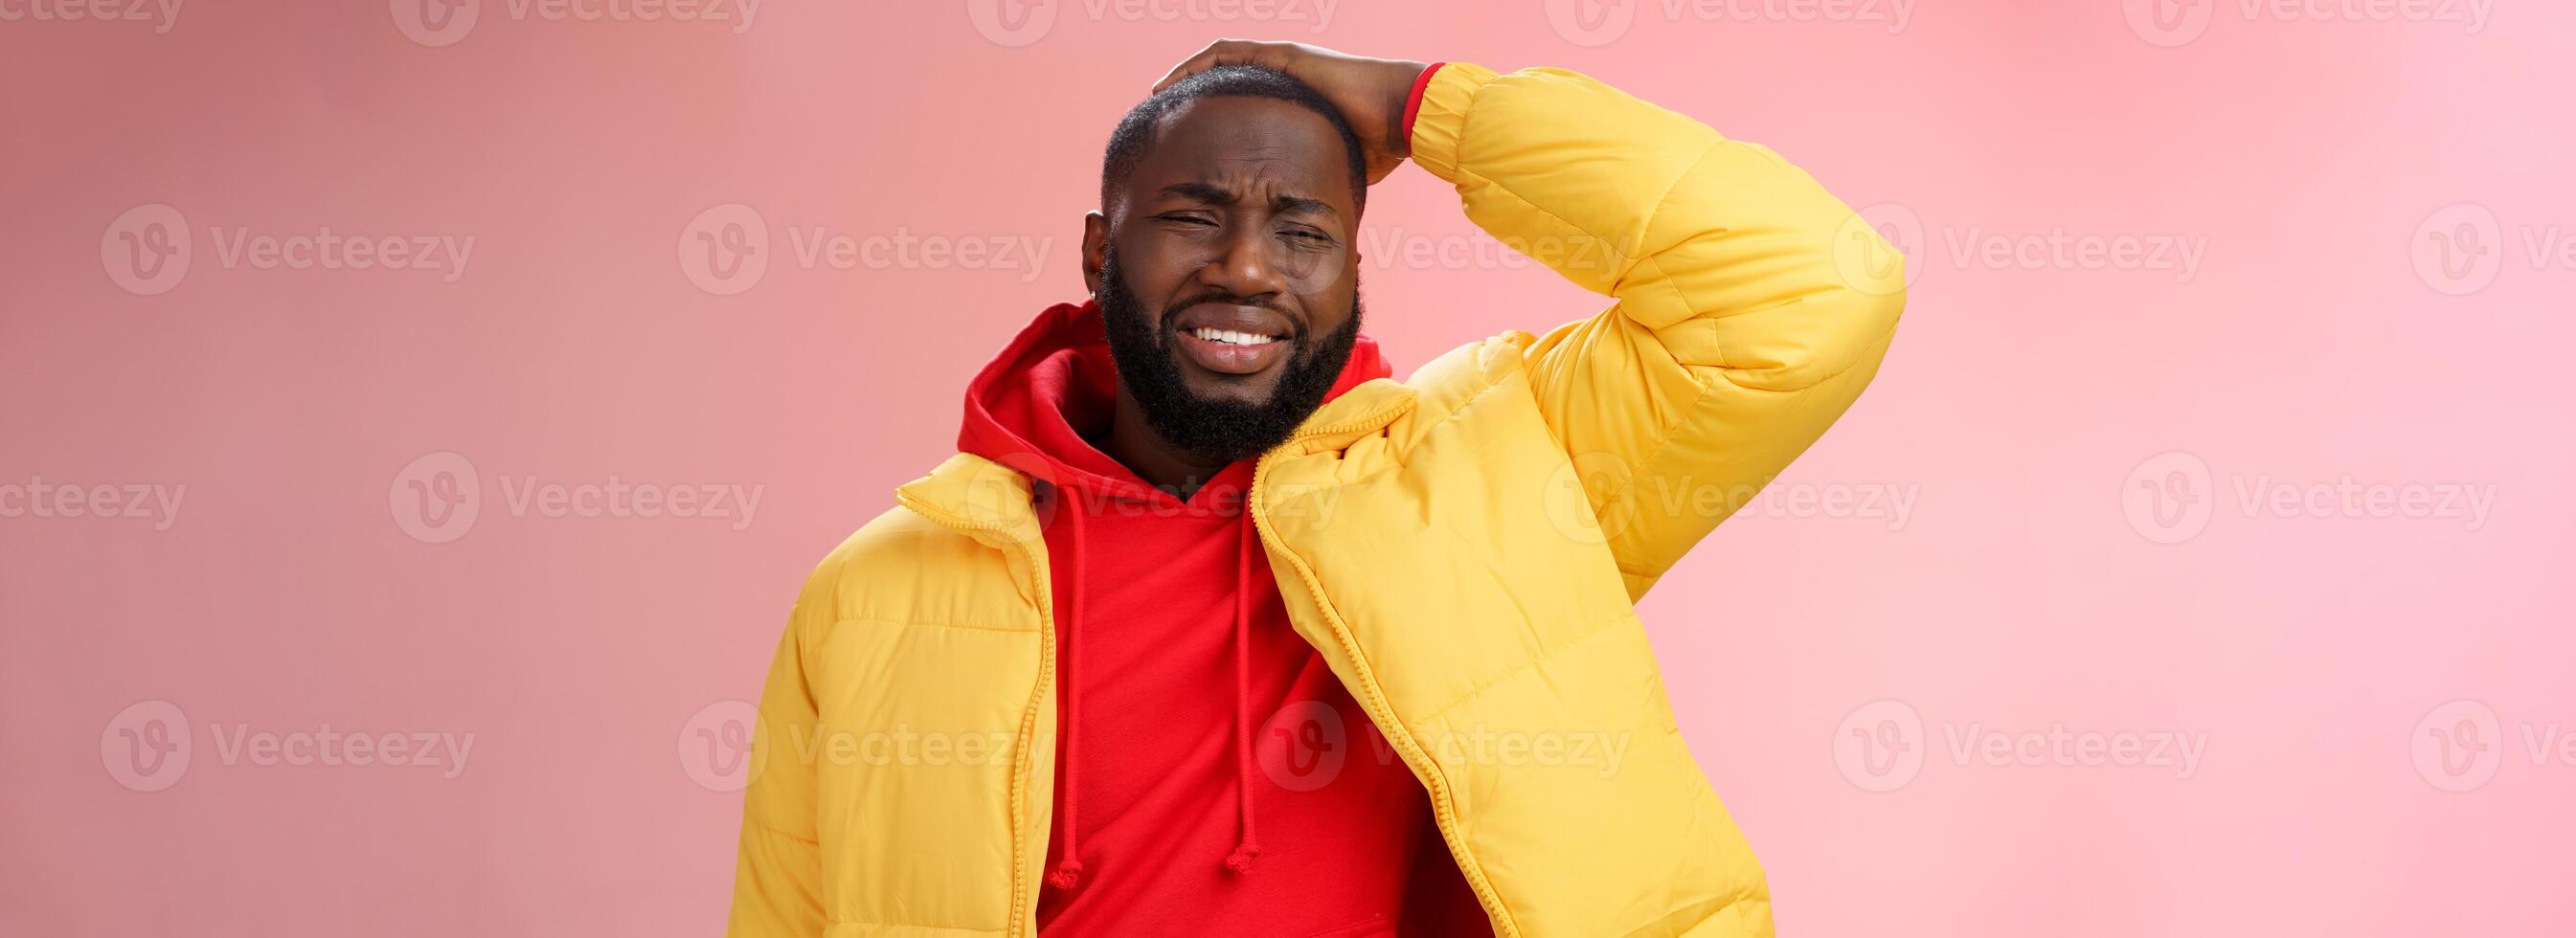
1055, 388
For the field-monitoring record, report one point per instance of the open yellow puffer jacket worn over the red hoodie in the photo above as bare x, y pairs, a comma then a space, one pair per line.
1464, 548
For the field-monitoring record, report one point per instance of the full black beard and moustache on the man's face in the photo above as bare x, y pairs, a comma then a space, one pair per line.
1215, 429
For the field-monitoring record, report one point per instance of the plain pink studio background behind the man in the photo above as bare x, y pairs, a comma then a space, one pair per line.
2034, 416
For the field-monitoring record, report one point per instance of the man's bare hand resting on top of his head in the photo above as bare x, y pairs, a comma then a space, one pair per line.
1372, 94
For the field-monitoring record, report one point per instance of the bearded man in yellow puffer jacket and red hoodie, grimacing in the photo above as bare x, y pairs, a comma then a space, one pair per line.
1215, 630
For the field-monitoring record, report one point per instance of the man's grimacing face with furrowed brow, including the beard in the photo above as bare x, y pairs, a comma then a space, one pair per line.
1227, 274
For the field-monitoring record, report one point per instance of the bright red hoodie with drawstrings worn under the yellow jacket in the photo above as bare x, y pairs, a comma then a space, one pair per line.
1212, 774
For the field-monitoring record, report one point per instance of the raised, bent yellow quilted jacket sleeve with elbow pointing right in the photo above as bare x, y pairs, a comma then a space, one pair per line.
1732, 339
